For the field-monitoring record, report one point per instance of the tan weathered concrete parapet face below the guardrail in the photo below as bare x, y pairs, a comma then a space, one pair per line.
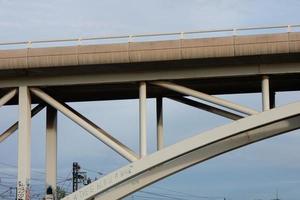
136, 52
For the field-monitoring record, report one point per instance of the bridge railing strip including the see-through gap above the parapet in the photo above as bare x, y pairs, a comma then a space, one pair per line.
150, 36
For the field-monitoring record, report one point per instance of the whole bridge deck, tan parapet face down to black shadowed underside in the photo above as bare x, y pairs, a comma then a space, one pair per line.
212, 65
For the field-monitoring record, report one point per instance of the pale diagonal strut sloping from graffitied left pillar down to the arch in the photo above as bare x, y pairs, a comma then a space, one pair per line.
86, 124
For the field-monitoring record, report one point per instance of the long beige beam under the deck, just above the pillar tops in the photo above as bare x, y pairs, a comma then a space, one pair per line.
159, 73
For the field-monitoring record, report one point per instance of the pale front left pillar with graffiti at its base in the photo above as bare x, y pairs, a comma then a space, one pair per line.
24, 144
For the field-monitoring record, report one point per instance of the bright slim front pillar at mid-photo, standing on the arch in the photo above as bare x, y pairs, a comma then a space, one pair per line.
143, 119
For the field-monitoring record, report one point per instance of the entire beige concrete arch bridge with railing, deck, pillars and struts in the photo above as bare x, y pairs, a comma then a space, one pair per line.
190, 65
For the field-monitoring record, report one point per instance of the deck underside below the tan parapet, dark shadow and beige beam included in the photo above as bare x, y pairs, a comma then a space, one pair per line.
112, 82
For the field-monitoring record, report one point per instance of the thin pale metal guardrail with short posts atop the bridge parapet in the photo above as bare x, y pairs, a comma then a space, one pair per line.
181, 35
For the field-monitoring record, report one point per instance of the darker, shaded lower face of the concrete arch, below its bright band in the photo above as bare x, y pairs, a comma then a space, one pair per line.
153, 175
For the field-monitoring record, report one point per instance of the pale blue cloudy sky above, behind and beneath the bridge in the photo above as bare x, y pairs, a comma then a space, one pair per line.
254, 172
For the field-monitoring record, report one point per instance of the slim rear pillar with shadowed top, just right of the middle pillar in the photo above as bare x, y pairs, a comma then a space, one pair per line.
159, 122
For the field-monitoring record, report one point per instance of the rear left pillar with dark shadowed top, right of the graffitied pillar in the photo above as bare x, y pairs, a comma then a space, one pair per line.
51, 148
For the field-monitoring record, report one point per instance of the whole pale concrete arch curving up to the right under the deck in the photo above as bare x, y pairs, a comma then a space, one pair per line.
172, 159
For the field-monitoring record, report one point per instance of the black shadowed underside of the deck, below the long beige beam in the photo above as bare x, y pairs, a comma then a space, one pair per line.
129, 90
